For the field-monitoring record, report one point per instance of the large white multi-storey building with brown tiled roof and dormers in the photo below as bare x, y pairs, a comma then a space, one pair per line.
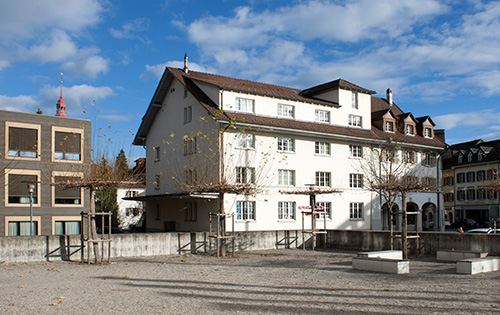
204, 128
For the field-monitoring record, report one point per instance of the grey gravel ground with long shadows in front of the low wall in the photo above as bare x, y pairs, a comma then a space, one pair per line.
261, 282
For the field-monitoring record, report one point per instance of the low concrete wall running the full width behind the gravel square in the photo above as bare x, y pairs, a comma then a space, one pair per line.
43, 248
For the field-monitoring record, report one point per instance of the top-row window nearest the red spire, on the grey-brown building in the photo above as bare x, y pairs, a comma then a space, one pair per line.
67, 144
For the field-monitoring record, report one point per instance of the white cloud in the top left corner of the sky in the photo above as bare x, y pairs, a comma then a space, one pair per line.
23, 19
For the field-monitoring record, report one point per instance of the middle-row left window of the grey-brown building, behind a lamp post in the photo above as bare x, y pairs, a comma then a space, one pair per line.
17, 188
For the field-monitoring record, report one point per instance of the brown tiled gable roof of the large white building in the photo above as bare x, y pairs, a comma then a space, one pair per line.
190, 81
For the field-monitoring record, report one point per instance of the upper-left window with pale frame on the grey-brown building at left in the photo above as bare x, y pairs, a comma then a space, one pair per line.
23, 140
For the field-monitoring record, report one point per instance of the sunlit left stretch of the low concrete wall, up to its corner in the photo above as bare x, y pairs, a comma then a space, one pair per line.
46, 248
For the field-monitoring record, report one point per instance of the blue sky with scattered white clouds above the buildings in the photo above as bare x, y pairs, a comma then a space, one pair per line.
440, 58
